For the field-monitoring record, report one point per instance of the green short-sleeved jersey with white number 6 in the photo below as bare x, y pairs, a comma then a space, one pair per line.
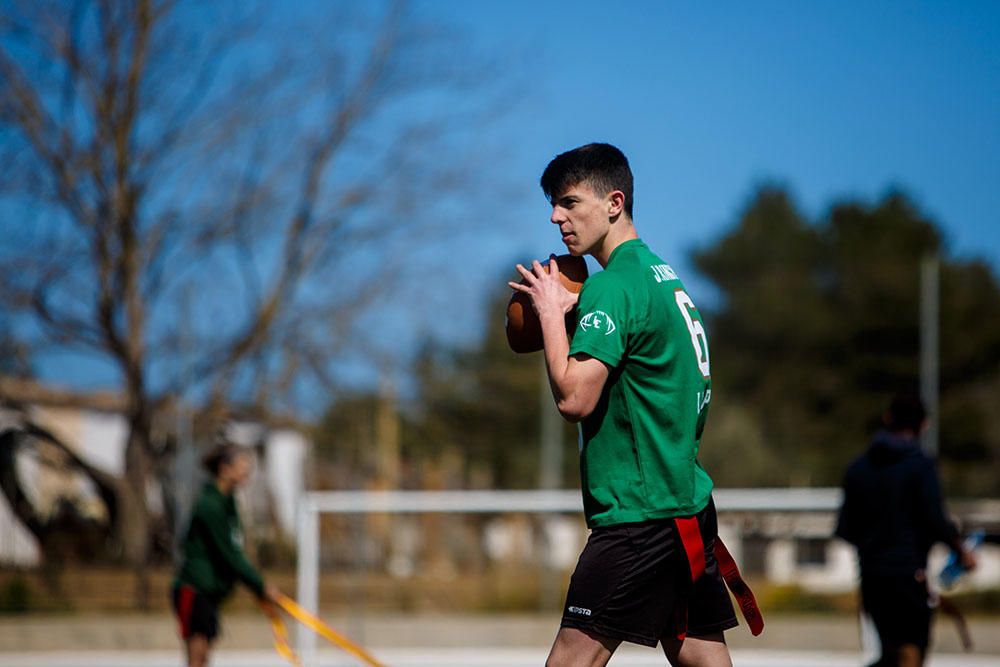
639, 446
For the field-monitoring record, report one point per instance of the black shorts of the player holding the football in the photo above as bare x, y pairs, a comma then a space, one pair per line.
633, 582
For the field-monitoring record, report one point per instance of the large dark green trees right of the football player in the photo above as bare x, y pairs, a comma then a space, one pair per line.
817, 325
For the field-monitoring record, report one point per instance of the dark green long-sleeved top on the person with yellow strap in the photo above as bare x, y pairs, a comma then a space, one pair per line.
213, 553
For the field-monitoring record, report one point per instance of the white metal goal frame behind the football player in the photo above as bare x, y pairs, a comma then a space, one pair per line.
314, 503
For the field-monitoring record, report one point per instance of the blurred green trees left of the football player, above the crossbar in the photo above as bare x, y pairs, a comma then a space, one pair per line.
473, 421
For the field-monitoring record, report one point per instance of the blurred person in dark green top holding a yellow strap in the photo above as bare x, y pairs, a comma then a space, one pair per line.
212, 554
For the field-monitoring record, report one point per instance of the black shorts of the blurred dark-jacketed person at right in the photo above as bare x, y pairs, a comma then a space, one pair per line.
900, 608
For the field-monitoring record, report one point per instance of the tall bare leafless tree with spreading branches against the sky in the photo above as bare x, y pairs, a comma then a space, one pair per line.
219, 188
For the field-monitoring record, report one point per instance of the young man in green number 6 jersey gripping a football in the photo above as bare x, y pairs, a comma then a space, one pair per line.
636, 376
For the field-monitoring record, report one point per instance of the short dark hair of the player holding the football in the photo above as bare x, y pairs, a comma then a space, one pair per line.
601, 166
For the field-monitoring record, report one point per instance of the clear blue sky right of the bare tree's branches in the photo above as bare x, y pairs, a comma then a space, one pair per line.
709, 100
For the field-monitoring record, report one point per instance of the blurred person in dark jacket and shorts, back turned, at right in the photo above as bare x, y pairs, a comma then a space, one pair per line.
893, 514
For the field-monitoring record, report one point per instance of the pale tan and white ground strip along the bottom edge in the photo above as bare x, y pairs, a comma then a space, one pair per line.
150, 641
